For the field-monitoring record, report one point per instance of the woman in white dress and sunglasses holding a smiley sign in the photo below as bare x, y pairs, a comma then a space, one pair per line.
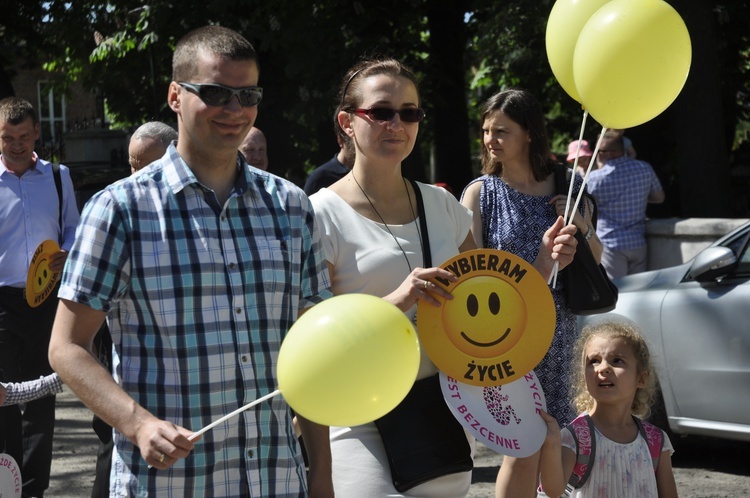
369, 222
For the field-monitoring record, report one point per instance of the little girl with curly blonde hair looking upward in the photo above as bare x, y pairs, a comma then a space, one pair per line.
614, 383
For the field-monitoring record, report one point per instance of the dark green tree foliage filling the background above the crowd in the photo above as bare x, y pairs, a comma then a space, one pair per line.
463, 50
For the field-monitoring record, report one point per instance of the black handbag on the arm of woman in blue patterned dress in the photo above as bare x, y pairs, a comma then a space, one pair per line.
588, 289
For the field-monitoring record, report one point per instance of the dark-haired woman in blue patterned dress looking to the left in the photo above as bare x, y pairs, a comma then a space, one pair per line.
514, 202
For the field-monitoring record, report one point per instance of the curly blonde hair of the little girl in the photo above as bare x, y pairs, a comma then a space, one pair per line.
631, 334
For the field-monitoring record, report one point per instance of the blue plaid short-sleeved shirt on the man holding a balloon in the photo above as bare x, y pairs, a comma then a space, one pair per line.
199, 298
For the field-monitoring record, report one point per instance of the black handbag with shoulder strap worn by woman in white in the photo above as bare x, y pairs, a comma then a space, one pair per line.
422, 438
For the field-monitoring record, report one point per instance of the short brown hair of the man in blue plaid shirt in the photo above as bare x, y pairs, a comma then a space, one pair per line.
216, 40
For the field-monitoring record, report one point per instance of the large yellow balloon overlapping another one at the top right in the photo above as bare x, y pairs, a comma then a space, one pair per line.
631, 61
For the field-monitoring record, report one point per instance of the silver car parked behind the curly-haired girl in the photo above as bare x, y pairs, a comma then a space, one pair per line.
696, 317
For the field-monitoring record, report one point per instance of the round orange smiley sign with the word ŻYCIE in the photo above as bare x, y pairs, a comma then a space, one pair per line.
499, 324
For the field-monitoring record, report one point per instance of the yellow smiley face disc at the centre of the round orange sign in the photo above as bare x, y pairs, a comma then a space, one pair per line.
485, 318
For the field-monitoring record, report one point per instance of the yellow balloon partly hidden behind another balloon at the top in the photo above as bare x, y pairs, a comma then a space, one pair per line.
566, 20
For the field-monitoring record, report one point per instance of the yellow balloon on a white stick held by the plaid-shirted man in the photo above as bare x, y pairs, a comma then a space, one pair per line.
348, 360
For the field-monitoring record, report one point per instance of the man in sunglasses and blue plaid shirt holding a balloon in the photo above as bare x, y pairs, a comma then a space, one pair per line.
200, 264
